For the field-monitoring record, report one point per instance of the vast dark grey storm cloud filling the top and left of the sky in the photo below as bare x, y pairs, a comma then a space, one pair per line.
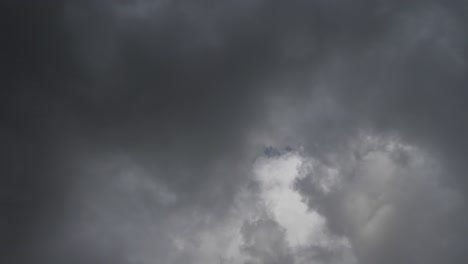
178, 88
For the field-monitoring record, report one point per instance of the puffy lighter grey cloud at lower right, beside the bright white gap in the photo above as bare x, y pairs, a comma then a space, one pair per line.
391, 209
